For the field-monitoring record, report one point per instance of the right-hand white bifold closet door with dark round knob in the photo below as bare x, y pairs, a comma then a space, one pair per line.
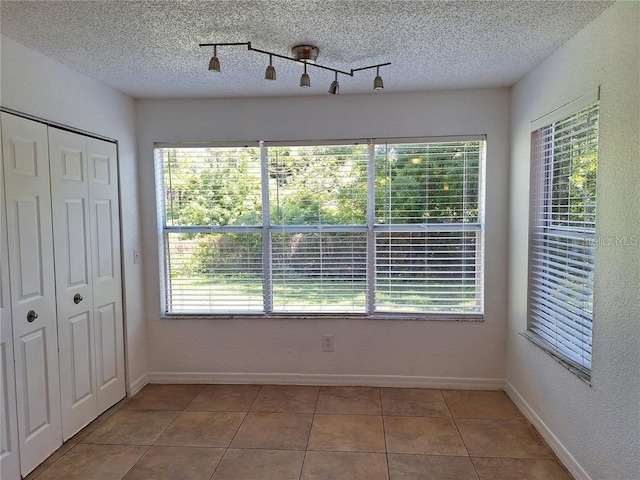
86, 229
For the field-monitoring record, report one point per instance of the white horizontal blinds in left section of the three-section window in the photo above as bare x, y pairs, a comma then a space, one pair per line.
212, 217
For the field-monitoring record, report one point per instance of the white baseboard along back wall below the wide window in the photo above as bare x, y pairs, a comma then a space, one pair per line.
328, 379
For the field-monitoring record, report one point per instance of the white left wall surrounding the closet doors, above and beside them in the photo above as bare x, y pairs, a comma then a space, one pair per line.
36, 85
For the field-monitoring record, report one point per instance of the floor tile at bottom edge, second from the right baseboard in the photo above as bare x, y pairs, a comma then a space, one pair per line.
430, 467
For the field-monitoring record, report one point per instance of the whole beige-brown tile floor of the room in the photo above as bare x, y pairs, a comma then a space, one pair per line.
251, 432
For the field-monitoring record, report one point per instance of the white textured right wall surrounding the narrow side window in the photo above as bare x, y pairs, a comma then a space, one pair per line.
595, 429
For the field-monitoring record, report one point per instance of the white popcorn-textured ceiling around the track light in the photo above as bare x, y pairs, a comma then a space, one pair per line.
149, 49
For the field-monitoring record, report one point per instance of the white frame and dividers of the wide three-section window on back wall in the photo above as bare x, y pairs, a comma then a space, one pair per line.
371, 228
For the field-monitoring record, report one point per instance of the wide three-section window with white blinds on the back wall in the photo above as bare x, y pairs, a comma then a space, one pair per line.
367, 228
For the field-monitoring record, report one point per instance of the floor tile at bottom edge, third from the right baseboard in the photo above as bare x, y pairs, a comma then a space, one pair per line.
344, 466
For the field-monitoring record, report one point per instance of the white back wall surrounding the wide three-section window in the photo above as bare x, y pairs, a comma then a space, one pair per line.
367, 351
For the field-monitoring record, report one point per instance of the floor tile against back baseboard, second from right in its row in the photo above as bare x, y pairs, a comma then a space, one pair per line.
413, 402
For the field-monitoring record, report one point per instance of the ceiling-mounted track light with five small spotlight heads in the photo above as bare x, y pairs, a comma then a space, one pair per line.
305, 54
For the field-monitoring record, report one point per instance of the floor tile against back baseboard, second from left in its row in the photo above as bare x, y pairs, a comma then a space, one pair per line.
224, 398
